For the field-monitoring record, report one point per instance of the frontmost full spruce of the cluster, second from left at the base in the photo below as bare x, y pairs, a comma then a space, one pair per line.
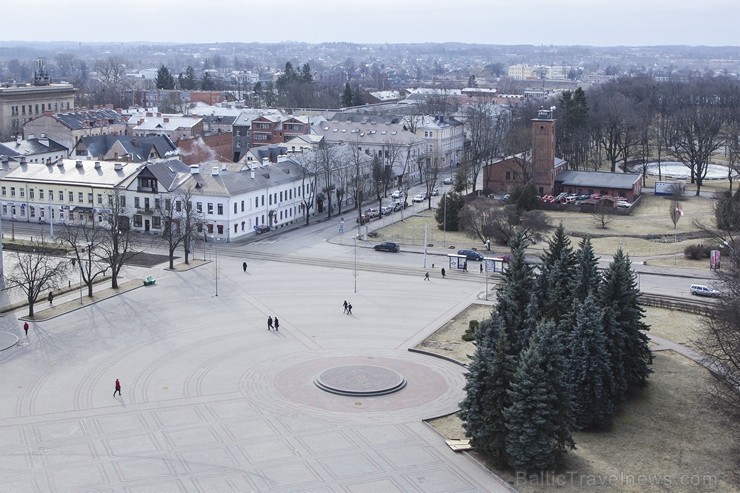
538, 419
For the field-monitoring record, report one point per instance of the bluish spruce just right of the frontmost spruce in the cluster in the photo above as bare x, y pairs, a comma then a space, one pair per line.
589, 372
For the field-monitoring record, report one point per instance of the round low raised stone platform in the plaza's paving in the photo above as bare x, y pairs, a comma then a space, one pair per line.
360, 380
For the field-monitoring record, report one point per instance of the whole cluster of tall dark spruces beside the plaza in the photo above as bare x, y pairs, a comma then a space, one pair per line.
564, 348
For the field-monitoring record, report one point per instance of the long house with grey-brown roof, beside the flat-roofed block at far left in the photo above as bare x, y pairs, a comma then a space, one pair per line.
69, 127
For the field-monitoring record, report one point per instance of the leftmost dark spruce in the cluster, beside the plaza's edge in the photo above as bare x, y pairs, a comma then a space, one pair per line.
488, 381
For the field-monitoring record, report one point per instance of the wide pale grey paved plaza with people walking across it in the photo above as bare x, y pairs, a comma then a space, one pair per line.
213, 401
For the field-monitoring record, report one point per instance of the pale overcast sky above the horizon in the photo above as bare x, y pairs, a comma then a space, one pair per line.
537, 22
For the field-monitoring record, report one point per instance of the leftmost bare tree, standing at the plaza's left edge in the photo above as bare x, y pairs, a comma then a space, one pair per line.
35, 270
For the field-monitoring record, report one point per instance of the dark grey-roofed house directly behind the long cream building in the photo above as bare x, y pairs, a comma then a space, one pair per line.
125, 147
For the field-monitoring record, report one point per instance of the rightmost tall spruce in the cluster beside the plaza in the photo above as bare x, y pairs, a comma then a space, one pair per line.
619, 292
